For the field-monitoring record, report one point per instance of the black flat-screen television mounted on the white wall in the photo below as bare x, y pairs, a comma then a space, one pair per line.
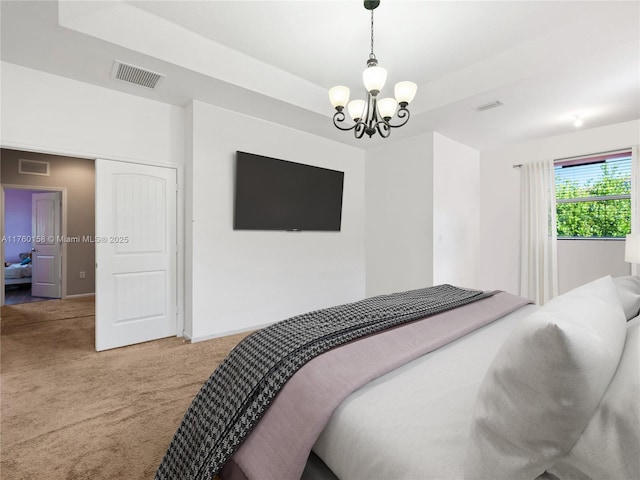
272, 194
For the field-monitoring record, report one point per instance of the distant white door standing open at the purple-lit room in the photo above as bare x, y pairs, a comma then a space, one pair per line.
46, 254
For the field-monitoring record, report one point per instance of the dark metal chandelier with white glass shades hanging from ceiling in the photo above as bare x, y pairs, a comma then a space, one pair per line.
372, 115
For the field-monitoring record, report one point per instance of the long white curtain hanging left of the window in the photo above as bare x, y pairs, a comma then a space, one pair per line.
539, 261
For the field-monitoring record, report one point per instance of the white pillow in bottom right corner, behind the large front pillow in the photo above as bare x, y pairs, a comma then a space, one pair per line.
610, 446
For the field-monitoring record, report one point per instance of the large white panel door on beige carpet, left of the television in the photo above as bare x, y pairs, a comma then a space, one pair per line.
135, 253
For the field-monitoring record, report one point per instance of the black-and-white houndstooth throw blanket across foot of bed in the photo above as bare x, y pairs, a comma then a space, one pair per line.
239, 391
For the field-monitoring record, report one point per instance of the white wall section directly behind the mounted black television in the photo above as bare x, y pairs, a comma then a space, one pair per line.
244, 279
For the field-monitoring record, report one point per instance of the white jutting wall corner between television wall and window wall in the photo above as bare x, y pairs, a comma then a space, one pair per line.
422, 214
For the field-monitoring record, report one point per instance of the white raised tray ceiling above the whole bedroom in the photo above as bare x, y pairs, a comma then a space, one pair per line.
546, 61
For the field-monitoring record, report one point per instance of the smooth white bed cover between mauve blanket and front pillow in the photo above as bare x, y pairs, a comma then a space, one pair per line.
413, 423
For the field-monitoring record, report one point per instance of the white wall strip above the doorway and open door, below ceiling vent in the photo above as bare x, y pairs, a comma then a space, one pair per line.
52, 114
